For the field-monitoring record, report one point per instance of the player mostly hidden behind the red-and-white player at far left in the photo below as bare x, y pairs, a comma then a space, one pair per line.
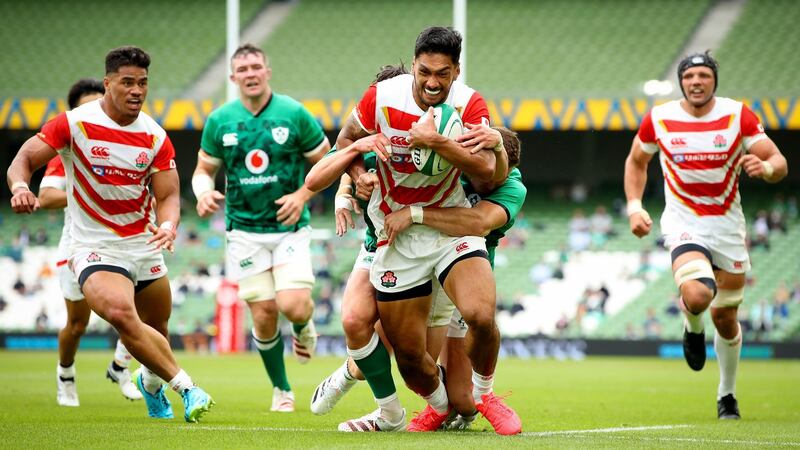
52, 194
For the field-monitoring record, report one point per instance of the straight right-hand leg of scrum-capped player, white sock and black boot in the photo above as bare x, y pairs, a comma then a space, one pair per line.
728, 341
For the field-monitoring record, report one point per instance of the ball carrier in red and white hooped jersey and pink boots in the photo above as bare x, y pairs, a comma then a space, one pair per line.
402, 273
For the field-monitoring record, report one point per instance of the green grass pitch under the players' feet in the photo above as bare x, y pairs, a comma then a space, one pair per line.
595, 403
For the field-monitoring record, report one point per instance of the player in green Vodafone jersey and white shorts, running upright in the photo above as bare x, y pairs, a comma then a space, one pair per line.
264, 140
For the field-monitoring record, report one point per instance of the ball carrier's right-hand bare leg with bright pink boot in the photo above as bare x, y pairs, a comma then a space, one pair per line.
470, 284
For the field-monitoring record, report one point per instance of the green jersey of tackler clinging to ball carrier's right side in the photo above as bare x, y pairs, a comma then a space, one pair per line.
510, 196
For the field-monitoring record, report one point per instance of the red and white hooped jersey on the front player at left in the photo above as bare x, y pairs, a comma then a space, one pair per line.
108, 169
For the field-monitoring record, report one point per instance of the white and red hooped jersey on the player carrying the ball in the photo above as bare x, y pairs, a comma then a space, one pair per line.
388, 107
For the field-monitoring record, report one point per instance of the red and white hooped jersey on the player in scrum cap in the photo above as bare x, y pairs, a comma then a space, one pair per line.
700, 158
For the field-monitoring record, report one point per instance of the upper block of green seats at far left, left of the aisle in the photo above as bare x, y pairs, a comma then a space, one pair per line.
72, 39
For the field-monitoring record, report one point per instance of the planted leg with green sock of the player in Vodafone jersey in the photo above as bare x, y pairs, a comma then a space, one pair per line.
269, 342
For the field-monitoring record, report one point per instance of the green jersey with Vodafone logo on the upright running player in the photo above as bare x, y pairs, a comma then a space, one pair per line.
265, 158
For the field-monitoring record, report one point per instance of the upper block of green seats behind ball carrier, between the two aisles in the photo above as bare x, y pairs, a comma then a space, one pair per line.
515, 47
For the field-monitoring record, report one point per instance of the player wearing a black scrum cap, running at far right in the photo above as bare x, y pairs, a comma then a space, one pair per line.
705, 142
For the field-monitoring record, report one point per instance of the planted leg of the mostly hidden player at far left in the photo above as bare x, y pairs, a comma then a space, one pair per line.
69, 338
